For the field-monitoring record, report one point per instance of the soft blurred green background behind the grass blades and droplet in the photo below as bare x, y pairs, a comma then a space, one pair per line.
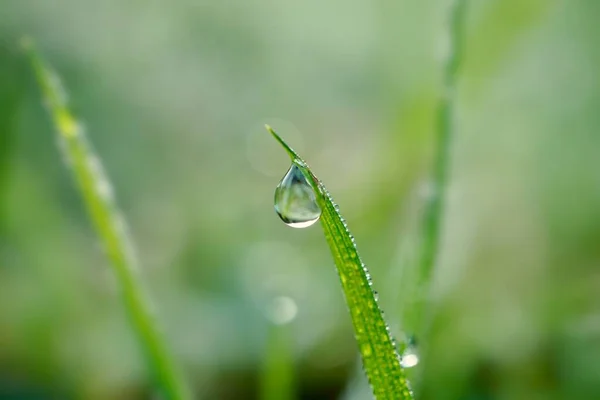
175, 94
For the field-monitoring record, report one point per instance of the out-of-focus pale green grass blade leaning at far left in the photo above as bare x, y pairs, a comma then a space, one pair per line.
97, 195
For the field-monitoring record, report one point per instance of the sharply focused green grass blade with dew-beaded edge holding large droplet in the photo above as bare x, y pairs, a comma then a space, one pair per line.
377, 349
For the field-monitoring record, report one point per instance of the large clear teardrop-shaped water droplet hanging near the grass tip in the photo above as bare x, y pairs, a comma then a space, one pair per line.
295, 200
